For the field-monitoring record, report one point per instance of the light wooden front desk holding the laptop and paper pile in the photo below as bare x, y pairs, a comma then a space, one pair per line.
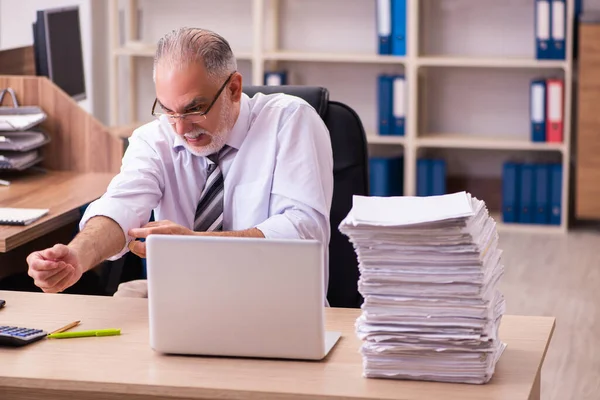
125, 367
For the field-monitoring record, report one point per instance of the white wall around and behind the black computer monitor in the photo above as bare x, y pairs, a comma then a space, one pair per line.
16, 17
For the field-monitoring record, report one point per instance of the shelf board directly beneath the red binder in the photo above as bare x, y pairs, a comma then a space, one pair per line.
464, 141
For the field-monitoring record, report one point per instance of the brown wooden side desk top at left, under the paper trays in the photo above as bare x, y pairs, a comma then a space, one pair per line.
60, 191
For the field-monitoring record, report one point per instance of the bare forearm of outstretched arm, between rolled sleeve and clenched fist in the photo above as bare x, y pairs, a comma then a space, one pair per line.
100, 238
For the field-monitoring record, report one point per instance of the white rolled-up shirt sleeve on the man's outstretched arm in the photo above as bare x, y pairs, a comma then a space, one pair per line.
133, 193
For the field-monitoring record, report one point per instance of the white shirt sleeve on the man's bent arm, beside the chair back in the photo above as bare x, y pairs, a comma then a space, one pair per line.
302, 188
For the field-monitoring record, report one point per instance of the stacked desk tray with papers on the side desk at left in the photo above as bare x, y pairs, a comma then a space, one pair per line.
20, 136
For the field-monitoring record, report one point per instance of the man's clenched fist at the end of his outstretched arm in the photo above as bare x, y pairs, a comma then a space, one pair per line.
55, 269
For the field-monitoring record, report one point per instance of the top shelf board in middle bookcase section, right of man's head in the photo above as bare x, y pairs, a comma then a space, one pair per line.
333, 57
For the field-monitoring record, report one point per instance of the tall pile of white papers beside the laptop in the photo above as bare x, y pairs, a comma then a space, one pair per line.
429, 274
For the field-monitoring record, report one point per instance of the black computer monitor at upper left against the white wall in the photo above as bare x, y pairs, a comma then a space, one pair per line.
58, 49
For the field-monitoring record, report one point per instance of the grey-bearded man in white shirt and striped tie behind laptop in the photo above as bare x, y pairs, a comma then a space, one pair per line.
214, 162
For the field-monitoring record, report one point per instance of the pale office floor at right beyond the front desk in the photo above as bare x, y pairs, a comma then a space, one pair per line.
559, 275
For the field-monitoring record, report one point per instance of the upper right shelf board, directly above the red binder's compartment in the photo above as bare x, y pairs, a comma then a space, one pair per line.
490, 62
